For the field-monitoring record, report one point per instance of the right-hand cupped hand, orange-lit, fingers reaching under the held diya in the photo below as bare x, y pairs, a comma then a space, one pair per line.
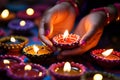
90, 29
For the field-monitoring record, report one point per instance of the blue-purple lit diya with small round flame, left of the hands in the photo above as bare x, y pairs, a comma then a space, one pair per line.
20, 26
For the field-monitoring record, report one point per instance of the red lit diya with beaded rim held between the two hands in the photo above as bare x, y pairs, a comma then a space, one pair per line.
66, 40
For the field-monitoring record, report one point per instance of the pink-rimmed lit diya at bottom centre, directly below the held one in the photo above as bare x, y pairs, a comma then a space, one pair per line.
66, 71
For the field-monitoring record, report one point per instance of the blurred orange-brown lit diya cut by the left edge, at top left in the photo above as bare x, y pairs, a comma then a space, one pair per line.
6, 15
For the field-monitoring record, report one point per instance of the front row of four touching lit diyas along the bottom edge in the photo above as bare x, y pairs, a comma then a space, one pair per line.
13, 68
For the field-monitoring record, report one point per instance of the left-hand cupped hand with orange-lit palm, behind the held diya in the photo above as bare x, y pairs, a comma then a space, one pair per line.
55, 21
